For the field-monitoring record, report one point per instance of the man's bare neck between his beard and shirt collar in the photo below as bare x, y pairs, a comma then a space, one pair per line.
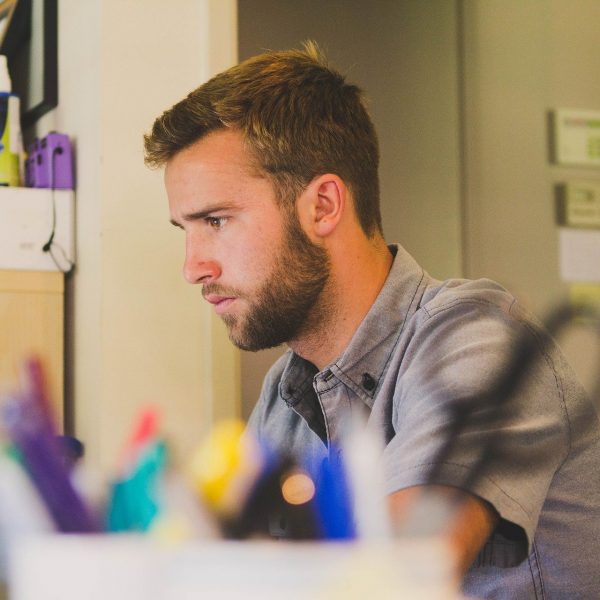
356, 280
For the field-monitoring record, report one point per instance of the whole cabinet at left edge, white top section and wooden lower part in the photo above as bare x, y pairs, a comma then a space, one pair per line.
31, 286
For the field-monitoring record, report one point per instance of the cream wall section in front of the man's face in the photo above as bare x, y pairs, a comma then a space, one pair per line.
137, 333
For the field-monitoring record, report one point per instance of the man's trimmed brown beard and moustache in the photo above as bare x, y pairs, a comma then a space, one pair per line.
290, 302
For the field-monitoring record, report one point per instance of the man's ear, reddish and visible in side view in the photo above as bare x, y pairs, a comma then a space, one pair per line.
322, 205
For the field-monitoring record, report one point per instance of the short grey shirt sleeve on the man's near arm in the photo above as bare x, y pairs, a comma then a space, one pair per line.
455, 353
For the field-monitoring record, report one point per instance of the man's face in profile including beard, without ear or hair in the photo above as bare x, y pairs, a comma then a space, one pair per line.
254, 261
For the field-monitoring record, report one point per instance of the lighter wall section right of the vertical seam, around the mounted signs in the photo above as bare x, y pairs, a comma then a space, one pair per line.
521, 60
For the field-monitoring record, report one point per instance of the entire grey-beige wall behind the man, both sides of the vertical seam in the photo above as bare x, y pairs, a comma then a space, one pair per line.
460, 92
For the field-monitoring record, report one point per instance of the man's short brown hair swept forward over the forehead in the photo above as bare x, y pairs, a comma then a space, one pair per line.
299, 118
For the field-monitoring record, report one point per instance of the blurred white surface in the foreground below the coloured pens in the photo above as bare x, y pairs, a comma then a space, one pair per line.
132, 568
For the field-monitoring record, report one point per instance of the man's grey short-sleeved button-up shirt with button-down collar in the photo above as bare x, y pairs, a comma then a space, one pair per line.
423, 346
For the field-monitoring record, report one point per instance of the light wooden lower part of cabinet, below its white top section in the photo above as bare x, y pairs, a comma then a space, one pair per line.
32, 321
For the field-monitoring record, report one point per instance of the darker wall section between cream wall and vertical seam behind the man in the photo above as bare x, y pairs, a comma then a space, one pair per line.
404, 54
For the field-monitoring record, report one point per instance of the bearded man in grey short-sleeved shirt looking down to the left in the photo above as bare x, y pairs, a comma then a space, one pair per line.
271, 171
